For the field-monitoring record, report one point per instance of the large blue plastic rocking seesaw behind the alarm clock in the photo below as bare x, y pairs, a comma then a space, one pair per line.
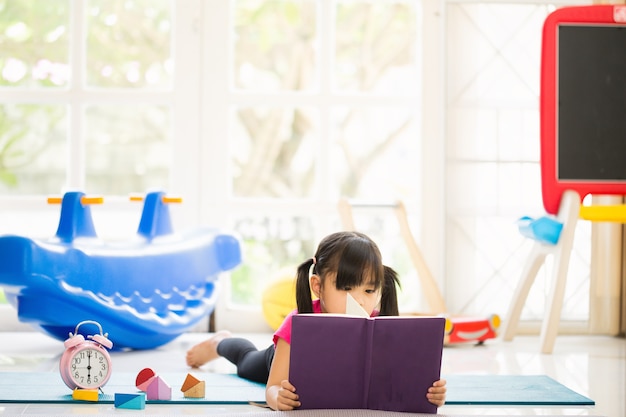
144, 292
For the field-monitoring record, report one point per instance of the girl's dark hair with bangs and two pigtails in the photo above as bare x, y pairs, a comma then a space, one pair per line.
354, 257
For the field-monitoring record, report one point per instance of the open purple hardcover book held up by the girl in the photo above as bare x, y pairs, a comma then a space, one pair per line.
381, 363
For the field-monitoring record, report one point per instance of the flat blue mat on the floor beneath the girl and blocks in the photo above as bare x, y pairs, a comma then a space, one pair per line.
47, 387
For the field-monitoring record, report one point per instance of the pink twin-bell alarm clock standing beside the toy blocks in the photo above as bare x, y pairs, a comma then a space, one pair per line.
86, 364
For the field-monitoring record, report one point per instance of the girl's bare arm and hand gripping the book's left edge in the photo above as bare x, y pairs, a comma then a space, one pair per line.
280, 394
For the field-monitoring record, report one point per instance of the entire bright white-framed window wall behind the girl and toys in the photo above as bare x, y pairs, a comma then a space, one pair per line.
261, 114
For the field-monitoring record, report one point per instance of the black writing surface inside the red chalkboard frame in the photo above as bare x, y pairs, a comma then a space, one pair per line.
591, 110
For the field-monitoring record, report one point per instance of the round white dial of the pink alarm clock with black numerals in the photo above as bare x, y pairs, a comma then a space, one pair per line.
88, 367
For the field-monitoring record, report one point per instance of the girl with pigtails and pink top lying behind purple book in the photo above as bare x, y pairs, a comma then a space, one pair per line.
345, 263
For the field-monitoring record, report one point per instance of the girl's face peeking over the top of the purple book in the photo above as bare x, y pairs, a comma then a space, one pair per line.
333, 300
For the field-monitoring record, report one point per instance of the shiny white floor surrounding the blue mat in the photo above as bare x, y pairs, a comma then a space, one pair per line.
592, 366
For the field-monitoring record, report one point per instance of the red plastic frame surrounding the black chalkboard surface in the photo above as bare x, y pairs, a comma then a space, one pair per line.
583, 102
